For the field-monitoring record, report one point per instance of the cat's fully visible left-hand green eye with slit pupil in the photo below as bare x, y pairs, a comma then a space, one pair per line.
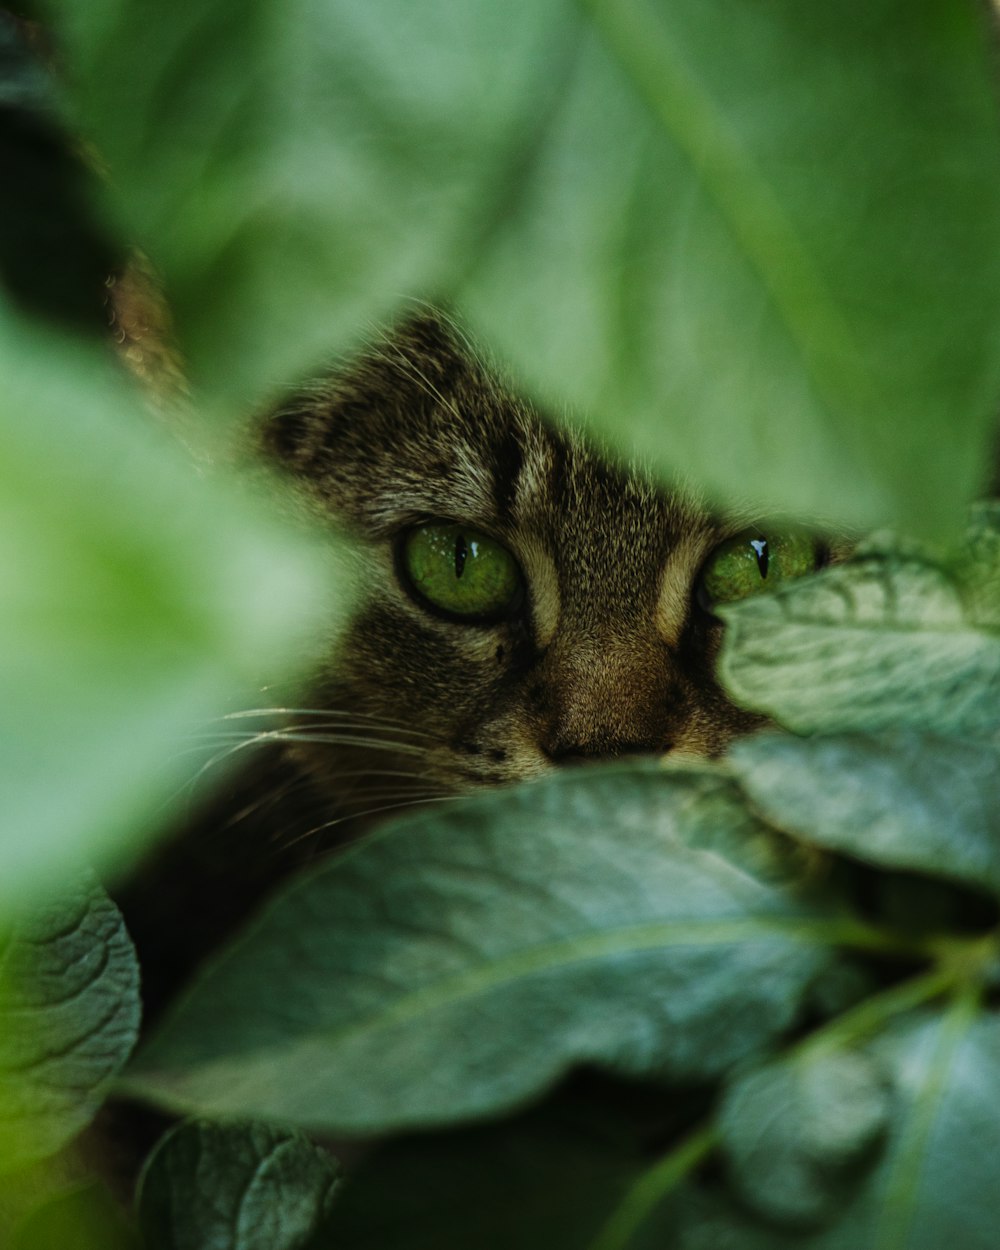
461, 571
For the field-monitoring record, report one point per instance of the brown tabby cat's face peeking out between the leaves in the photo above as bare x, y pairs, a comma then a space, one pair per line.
592, 642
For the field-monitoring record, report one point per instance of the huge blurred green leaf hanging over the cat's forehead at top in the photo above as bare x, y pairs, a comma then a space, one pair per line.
759, 242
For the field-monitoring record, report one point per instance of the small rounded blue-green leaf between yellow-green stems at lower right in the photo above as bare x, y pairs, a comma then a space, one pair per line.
798, 1136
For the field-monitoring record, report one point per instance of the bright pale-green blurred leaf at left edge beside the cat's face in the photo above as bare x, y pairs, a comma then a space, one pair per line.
137, 601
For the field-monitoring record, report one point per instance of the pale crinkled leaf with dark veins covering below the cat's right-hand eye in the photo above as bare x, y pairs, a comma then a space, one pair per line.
879, 643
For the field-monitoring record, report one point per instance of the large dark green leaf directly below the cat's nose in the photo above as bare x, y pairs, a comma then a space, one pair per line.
463, 961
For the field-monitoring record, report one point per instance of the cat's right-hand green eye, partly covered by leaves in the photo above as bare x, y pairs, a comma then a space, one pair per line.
754, 562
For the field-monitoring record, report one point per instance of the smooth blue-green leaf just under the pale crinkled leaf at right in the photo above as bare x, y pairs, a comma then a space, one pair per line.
903, 801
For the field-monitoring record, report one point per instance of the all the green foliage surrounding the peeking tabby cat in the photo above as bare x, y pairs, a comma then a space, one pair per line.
758, 243
